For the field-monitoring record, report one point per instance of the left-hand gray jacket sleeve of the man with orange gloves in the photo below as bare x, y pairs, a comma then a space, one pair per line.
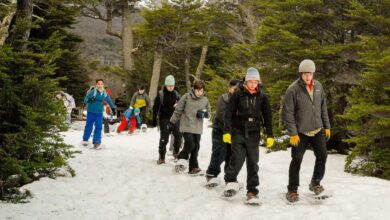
289, 112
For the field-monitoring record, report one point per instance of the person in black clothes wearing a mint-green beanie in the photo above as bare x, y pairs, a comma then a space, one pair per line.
163, 108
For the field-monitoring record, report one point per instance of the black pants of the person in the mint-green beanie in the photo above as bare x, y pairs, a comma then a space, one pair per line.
164, 137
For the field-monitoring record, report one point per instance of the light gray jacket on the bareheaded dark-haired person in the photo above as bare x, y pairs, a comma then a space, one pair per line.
186, 111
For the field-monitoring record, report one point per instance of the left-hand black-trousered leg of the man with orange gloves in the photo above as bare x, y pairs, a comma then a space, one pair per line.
295, 165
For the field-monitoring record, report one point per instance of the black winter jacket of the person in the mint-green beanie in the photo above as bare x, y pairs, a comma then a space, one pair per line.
165, 110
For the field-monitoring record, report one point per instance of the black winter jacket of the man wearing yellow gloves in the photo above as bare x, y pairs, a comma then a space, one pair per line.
246, 113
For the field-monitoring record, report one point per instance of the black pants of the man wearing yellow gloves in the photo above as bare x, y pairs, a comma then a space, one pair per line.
245, 148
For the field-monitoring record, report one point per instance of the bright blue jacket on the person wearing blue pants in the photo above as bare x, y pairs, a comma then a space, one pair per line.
95, 105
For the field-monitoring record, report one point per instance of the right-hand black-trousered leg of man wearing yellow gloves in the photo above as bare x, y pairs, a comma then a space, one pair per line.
252, 162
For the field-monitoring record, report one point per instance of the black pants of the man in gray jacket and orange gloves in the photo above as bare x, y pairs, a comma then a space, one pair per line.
319, 147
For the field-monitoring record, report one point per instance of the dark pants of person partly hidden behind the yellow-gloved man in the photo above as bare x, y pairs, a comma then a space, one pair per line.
221, 152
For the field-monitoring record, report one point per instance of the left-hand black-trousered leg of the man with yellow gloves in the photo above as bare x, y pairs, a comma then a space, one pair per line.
237, 159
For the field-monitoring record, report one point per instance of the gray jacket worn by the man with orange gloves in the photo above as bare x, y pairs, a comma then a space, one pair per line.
300, 113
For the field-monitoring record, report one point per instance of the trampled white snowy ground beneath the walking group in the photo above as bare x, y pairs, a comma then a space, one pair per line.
123, 181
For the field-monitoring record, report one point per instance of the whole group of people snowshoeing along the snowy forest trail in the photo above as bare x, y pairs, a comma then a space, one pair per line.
241, 114
